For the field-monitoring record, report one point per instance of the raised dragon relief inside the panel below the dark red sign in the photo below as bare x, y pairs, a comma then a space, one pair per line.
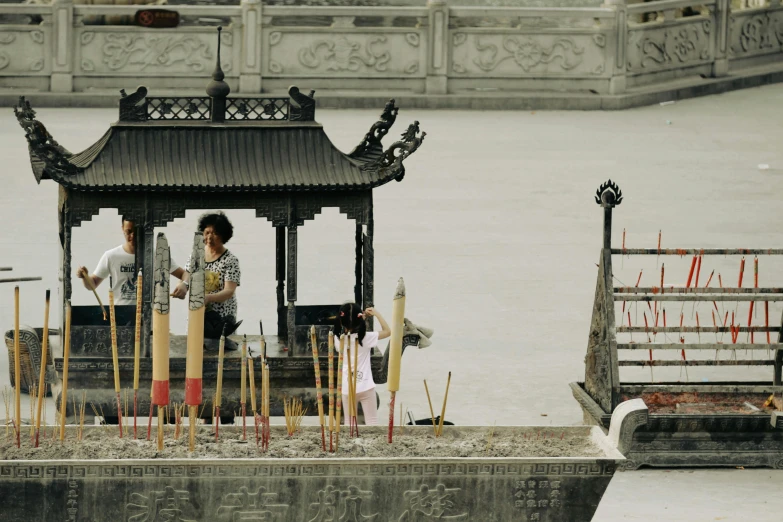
121, 51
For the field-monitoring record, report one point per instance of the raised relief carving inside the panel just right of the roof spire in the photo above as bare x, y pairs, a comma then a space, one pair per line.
342, 54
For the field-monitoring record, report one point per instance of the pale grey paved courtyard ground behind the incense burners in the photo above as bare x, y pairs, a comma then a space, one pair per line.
496, 233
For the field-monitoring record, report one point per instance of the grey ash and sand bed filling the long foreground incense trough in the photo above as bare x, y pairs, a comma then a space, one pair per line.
104, 443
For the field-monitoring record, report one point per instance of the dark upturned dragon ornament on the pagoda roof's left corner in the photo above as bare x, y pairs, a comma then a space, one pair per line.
42, 145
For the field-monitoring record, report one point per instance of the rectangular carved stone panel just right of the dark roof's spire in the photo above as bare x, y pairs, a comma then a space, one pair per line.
345, 54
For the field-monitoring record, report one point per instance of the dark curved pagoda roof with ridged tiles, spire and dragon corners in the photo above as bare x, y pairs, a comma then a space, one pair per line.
216, 143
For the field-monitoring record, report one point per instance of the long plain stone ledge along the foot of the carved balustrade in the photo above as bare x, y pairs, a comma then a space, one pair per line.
638, 97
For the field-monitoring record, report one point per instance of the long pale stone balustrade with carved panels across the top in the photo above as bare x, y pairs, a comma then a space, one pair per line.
429, 49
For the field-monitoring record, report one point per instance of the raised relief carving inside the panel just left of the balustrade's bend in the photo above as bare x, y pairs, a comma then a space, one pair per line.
528, 53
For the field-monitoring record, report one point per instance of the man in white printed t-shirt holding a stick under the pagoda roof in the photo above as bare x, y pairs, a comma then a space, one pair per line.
120, 264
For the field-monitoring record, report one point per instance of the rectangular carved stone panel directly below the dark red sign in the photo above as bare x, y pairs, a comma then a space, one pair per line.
152, 52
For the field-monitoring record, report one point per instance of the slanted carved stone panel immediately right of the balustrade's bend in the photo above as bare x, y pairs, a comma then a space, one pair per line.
670, 46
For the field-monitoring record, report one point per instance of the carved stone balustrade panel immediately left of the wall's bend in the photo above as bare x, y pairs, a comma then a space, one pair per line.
514, 55
